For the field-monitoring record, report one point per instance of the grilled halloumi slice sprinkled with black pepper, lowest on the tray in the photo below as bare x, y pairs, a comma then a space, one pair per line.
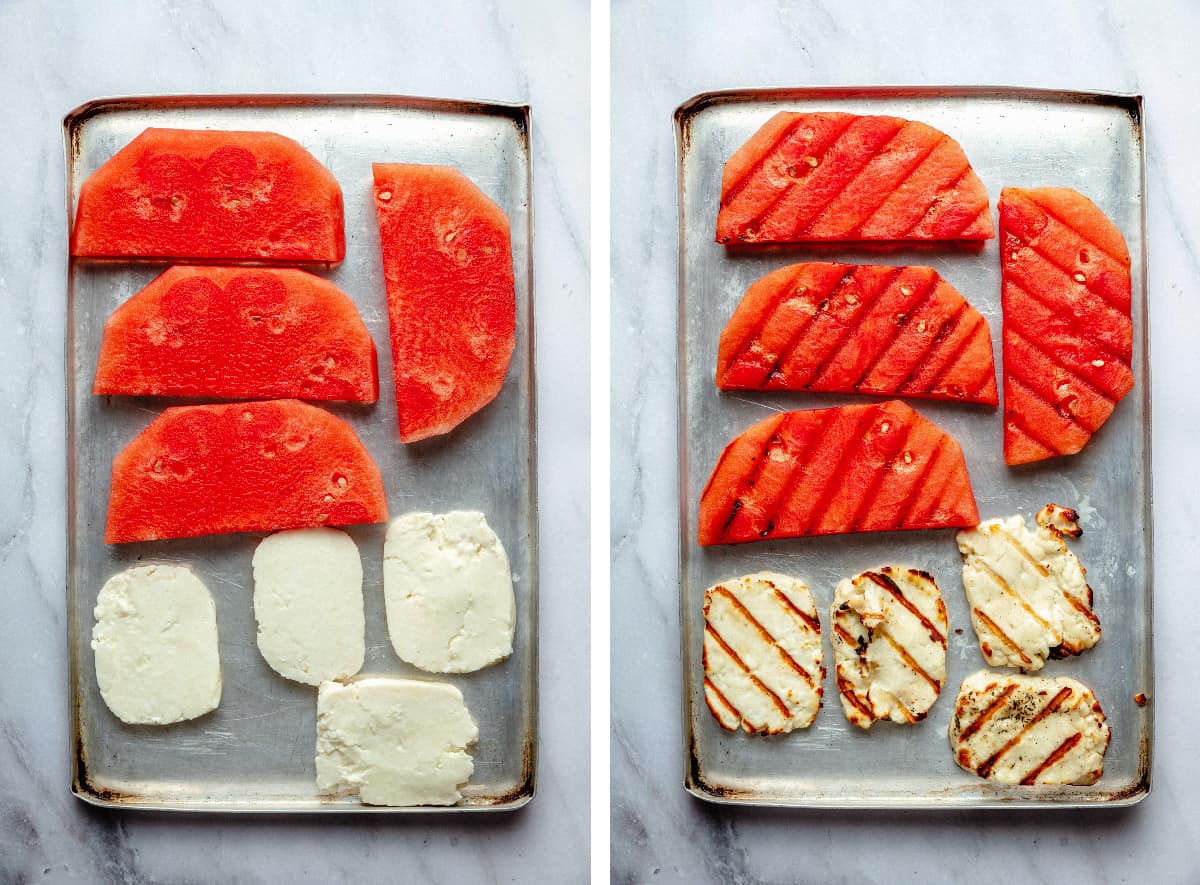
1029, 730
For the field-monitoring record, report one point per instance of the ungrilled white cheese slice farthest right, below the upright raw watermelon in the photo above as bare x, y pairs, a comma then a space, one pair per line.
448, 592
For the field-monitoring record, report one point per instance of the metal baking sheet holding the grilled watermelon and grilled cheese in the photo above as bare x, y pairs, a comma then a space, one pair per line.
1017, 137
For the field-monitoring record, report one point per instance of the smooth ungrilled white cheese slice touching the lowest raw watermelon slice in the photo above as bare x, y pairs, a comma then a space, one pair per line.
309, 605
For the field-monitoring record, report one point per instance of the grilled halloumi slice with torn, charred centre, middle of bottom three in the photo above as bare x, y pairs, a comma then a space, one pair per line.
889, 634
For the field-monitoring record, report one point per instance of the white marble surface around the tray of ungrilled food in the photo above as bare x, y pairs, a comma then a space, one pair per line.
55, 57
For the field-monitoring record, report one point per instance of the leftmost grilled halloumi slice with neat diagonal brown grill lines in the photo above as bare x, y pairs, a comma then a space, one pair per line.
763, 654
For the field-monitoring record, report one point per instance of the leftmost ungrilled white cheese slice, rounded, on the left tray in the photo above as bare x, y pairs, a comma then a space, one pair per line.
157, 646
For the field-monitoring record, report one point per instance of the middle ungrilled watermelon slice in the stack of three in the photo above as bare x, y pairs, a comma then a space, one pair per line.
238, 334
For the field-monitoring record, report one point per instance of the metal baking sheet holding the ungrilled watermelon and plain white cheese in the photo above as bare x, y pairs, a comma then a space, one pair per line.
256, 751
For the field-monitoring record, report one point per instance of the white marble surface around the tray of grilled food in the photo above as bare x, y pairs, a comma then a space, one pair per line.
663, 57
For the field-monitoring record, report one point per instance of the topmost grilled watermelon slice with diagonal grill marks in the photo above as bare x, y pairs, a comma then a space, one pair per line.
844, 177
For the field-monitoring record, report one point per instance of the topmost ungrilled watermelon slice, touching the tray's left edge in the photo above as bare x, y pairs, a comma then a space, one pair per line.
211, 195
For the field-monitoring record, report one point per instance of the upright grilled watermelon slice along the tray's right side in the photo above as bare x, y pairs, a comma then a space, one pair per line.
1069, 328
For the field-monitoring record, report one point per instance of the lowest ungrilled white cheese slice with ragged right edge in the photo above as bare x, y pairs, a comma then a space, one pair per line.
394, 742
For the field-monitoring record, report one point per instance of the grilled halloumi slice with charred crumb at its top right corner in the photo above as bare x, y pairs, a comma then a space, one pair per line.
1028, 593
